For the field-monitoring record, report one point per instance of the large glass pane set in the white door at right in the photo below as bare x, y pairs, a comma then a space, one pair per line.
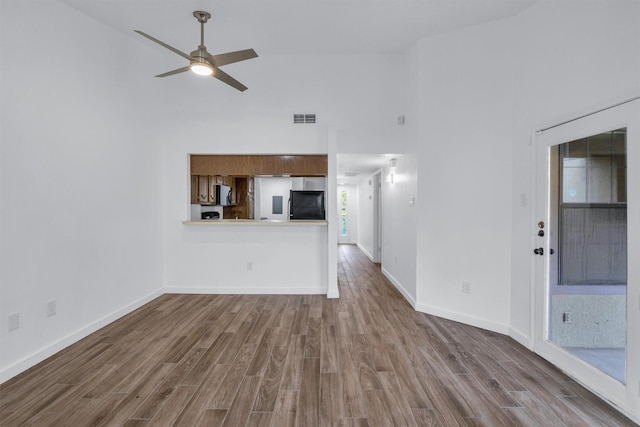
588, 278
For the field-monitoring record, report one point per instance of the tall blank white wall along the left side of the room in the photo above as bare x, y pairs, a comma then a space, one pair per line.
80, 187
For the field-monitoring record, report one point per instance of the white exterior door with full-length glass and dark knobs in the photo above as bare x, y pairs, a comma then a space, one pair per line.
586, 251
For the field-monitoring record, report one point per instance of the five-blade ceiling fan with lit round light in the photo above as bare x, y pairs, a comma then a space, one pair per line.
202, 62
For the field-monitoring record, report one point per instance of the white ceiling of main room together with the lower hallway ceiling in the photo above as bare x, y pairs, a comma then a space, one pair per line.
297, 27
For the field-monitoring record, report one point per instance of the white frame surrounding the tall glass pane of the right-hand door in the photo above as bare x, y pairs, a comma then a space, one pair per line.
625, 396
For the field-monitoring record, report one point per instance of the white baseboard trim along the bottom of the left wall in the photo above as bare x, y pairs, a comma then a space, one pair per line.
48, 351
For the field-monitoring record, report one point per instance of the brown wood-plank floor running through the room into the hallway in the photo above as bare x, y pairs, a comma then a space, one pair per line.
365, 359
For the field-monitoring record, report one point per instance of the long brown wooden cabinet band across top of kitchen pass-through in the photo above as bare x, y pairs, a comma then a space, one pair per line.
250, 165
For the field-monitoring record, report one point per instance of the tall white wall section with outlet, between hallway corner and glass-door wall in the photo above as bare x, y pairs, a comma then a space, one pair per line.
463, 141
